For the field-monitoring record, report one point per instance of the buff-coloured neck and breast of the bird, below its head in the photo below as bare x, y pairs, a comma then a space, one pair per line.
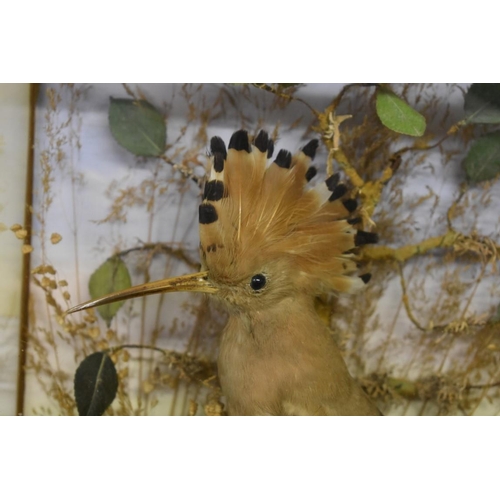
286, 364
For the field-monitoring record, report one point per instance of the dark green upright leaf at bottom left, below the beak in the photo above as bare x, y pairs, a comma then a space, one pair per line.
95, 384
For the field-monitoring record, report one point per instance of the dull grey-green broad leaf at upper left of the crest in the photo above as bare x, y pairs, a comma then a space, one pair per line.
137, 126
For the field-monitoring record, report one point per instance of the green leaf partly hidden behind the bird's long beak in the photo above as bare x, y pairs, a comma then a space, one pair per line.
112, 276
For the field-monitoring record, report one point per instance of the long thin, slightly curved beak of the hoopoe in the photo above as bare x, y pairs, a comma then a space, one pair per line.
189, 283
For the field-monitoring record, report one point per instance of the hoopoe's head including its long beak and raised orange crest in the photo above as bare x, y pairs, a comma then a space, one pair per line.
264, 235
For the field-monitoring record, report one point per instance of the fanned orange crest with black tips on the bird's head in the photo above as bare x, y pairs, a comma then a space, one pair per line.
253, 213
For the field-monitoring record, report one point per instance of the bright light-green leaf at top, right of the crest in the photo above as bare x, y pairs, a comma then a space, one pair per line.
396, 115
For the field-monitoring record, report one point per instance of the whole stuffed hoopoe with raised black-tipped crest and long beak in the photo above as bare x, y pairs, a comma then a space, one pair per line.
269, 245
